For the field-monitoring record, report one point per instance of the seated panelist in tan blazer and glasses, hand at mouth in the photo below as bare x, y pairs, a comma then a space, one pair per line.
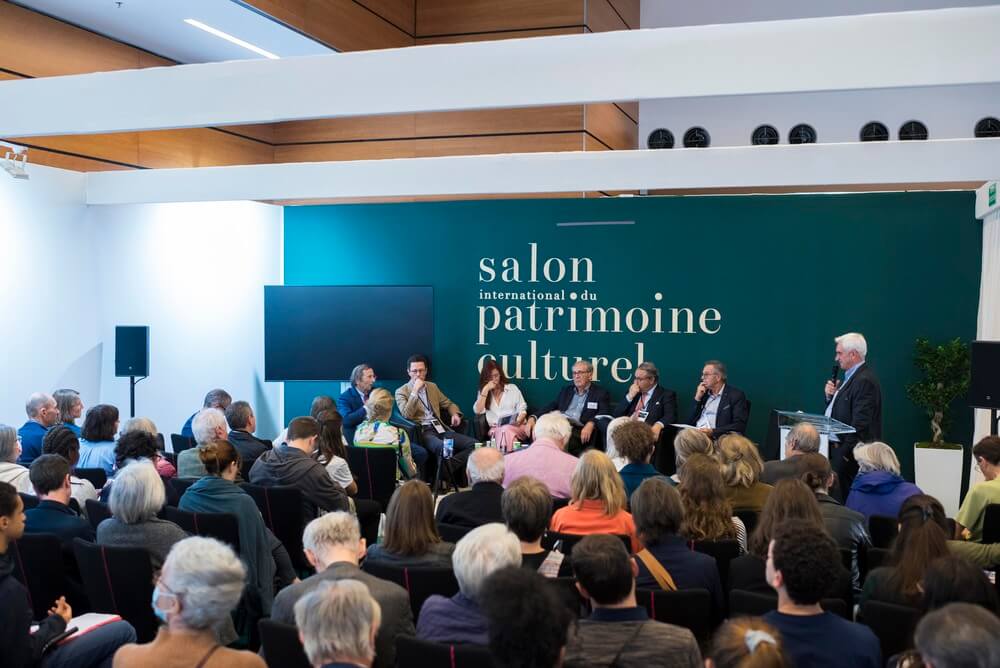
421, 401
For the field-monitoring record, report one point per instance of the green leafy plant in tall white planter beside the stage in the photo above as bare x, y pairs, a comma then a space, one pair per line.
937, 463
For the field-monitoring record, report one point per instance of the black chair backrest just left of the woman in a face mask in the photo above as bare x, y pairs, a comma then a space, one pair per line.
119, 580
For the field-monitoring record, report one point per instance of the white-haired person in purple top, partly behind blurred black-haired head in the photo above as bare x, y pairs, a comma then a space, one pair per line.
460, 619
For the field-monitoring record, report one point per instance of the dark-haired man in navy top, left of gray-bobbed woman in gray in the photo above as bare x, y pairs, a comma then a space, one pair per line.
50, 478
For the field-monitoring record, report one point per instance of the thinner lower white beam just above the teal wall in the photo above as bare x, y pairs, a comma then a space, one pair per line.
947, 160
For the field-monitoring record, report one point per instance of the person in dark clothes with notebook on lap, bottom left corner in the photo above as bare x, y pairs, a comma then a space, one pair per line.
19, 647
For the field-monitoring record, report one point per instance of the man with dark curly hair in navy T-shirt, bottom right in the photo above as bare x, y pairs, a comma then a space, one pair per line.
801, 566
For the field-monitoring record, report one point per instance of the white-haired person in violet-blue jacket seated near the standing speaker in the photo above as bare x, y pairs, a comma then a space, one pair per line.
879, 489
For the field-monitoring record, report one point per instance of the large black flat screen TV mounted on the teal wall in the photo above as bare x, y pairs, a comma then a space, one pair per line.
322, 332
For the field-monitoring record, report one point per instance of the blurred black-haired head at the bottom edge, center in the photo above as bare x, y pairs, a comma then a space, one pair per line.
528, 623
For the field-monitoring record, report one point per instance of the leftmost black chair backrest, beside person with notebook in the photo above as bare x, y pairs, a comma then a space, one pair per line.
39, 565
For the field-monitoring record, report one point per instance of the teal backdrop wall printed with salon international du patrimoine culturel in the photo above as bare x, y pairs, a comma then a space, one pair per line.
763, 283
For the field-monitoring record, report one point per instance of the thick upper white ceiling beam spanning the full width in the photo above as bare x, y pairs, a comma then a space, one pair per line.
902, 49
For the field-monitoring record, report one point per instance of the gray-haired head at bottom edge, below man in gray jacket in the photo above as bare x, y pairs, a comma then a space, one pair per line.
337, 623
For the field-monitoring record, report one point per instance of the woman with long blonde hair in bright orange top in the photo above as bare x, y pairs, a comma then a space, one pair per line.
597, 501
